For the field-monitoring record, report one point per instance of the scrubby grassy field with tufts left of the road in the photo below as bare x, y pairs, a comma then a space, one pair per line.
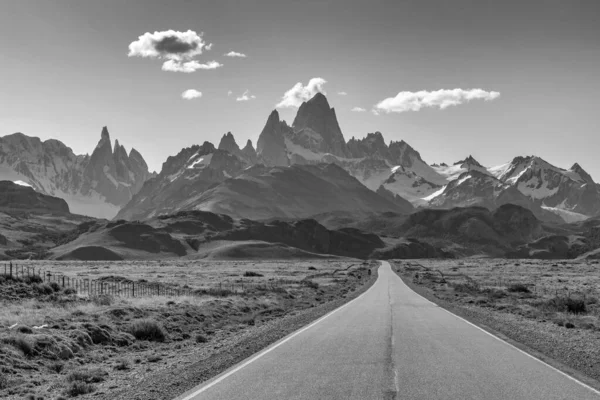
55, 343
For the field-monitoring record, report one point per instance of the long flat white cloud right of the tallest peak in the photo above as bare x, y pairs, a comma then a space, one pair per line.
443, 98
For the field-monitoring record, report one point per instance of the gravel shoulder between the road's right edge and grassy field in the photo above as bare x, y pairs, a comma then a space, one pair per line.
575, 351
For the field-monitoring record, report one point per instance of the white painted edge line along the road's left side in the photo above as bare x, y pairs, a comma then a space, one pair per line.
219, 378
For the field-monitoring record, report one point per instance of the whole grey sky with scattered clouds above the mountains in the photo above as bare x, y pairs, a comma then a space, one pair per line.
414, 67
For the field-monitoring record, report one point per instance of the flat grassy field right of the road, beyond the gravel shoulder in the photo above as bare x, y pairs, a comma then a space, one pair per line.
560, 291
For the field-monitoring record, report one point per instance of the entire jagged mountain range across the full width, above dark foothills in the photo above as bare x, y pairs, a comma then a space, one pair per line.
295, 171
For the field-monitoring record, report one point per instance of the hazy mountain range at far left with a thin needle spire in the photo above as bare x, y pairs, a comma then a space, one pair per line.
97, 185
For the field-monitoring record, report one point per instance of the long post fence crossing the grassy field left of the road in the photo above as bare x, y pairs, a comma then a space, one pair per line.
127, 288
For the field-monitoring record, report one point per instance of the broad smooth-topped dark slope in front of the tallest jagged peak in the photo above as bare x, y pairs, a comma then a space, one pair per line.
258, 192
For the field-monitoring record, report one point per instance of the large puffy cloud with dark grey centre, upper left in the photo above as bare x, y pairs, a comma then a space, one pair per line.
171, 45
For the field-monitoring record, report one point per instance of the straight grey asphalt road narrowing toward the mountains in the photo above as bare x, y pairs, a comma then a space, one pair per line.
391, 343
